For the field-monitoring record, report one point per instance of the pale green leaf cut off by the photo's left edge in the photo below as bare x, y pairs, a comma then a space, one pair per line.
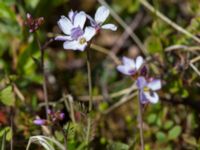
7, 96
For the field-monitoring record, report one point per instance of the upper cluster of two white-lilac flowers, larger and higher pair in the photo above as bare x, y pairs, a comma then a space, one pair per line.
77, 37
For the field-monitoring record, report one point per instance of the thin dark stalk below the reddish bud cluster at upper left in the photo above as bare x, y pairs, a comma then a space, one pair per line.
44, 76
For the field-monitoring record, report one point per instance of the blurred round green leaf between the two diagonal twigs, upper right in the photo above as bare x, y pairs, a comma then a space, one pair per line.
153, 45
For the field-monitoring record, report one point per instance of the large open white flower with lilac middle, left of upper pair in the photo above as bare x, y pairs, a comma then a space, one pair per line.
75, 38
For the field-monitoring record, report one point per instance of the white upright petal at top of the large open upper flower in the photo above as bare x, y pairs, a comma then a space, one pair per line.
79, 19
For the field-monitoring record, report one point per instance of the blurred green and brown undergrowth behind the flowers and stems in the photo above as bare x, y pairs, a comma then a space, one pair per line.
171, 124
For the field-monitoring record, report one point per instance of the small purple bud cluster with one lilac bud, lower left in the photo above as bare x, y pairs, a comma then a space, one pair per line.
54, 117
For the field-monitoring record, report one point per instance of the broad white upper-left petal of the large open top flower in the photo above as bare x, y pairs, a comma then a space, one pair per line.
65, 25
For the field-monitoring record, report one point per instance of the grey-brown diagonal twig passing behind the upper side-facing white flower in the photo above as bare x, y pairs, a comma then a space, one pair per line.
125, 26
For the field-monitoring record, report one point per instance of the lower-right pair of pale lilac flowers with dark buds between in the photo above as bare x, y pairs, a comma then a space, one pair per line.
147, 86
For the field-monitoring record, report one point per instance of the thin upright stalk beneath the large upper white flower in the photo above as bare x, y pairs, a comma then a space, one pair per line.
90, 95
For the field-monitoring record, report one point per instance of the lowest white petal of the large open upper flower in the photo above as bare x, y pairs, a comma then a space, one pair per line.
74, 45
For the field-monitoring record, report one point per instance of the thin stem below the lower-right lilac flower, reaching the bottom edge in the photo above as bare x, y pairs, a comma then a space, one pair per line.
140, 123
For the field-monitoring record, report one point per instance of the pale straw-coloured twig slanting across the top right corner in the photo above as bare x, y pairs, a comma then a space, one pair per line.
168, 21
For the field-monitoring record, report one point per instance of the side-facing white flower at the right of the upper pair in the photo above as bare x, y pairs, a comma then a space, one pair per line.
101, 15
